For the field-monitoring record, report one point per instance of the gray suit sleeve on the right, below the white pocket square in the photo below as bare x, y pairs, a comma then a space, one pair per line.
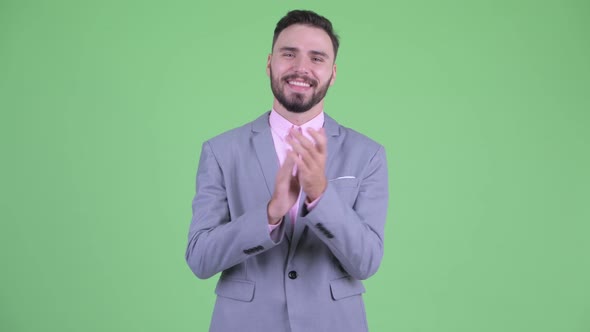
354, 233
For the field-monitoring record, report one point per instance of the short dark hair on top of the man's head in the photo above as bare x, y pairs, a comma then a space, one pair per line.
307, 17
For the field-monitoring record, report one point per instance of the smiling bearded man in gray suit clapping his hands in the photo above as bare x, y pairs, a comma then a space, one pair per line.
291, 207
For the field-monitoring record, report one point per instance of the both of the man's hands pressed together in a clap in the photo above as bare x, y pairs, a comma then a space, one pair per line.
310, 175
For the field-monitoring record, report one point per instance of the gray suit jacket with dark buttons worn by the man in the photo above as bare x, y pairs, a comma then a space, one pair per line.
310, 279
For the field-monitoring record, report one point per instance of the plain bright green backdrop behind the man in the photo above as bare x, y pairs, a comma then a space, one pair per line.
483, 107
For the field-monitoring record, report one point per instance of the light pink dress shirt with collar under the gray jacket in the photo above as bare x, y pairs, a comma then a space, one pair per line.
280, 130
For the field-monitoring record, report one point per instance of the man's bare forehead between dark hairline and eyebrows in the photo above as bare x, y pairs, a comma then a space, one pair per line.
305, 38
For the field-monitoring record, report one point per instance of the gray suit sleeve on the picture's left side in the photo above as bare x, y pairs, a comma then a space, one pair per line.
217, 240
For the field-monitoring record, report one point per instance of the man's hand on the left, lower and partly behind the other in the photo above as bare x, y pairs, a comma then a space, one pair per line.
286, 190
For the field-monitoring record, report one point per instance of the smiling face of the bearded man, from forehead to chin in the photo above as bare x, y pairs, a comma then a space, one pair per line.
301, 67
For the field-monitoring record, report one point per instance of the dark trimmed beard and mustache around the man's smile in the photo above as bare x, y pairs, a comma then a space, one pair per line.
296, 102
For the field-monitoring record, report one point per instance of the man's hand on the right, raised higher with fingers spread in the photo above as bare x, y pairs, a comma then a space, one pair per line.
311, 164
